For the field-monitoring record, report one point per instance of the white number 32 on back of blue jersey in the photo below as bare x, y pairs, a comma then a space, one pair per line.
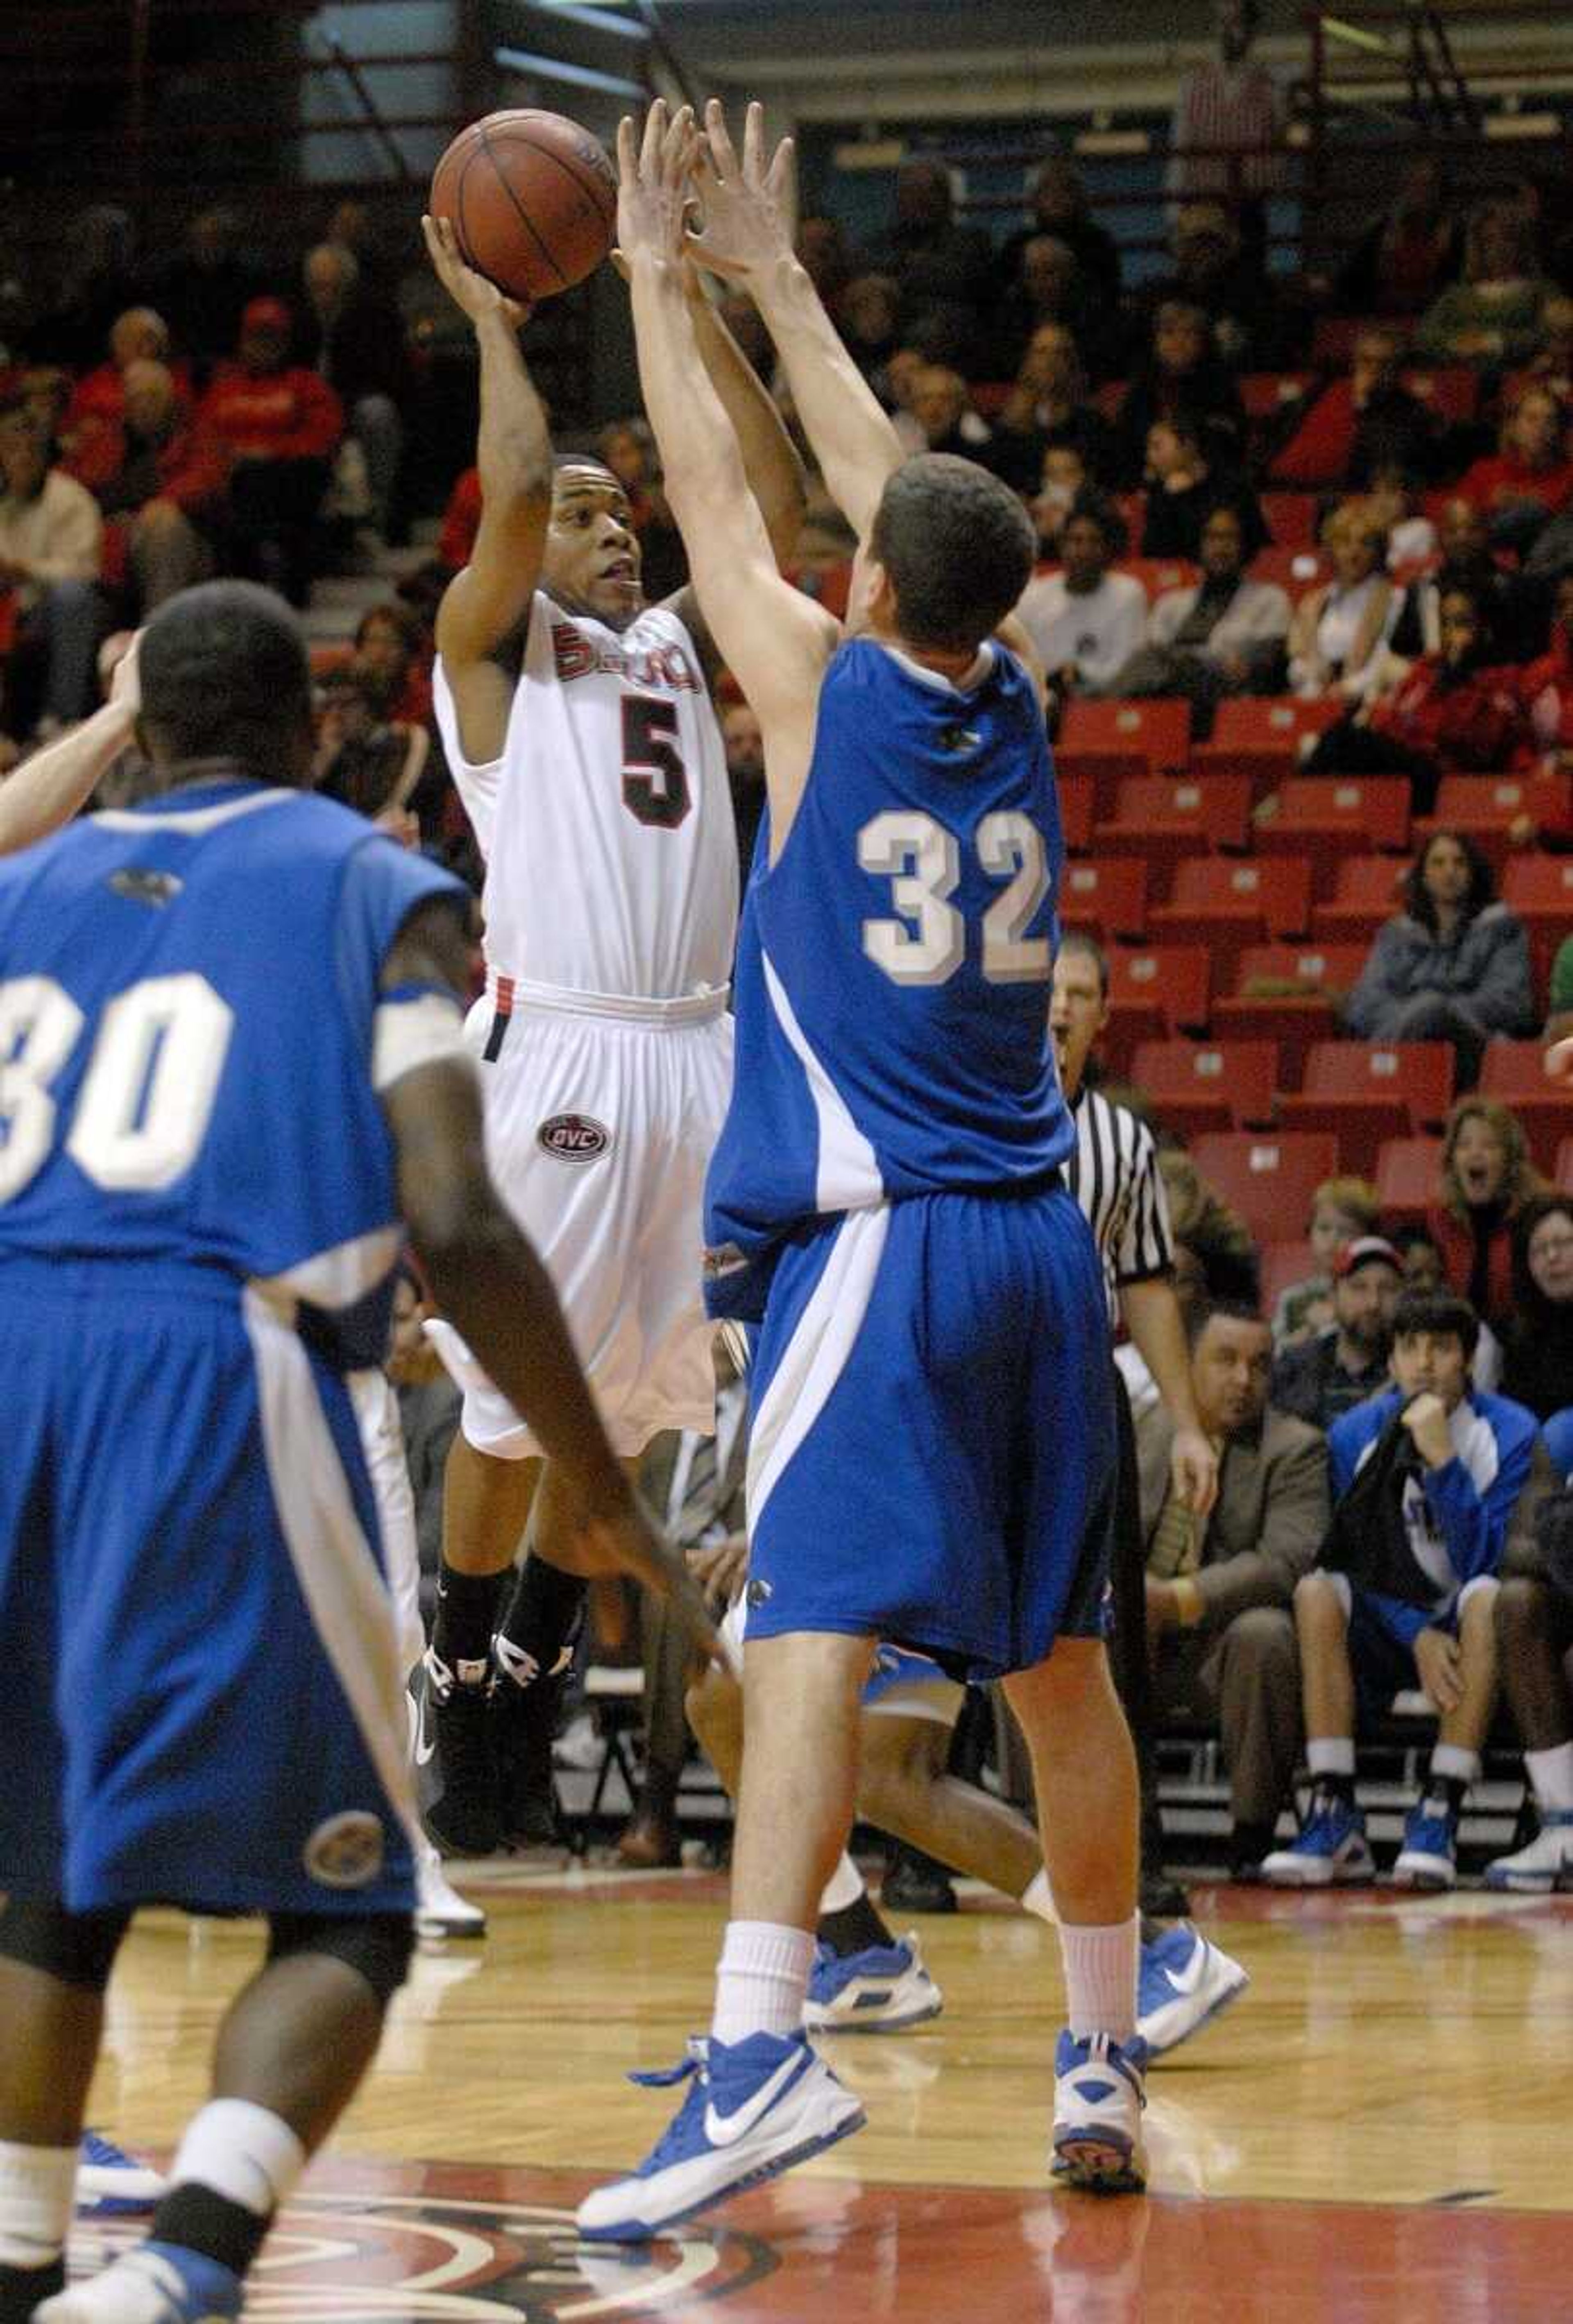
924, 866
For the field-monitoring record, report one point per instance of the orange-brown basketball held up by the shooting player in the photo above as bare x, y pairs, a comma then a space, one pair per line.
533, 201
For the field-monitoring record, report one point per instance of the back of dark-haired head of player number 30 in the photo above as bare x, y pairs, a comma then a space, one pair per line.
224, 675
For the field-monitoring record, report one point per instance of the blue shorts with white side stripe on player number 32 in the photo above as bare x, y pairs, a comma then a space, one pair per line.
933, 1437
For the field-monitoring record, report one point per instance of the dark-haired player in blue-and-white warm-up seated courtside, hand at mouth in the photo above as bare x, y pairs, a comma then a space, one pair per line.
1405, 1595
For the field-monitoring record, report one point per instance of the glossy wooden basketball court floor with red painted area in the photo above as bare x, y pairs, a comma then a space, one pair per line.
1381, 2128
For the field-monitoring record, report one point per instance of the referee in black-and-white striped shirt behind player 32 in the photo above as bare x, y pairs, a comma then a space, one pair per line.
1116, 1182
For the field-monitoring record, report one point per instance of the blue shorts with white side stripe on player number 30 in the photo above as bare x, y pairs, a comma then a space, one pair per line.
203, 1700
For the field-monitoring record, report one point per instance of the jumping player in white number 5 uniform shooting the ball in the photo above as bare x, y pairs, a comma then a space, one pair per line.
582, 738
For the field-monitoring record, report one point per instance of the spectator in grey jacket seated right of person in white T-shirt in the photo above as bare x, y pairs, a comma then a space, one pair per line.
1223, 636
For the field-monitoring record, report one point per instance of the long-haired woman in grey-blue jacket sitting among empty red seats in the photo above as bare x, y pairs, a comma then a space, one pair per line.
1453, 966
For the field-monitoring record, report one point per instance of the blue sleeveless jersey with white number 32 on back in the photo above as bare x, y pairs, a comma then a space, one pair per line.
893, 966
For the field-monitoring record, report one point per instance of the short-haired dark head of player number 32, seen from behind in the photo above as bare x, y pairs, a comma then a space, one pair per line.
958, 550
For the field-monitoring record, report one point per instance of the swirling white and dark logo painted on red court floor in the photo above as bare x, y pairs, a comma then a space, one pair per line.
440, 2260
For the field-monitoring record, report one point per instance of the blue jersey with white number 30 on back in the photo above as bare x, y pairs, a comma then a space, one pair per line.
189, 996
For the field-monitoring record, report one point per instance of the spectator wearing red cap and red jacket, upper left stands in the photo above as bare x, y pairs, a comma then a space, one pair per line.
282, 426
